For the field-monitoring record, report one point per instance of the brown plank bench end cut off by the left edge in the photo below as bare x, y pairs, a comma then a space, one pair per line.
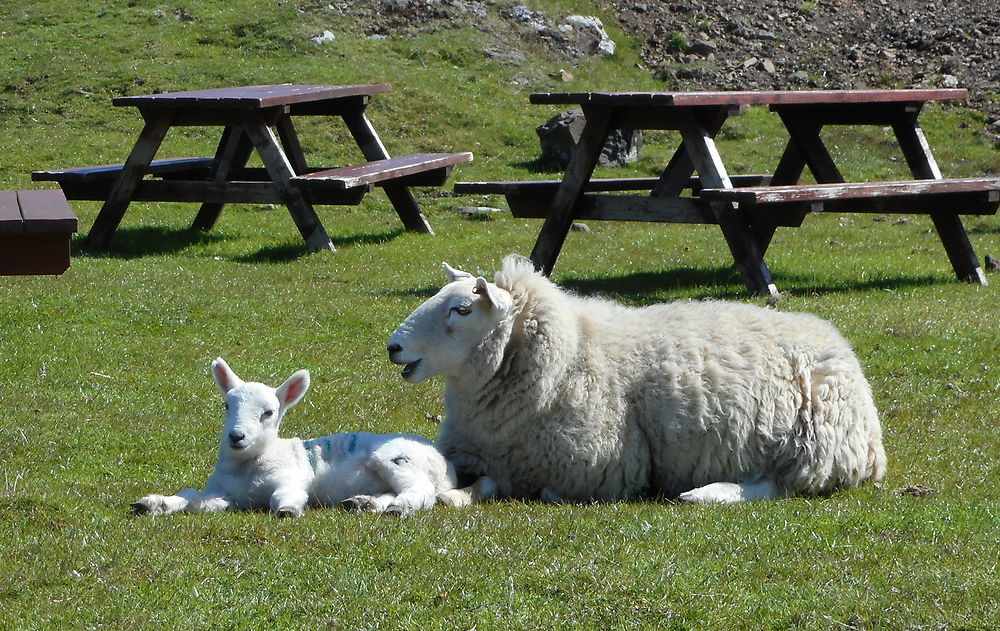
35, 232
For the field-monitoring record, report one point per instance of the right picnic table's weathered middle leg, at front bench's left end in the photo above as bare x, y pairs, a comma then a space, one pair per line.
735, 227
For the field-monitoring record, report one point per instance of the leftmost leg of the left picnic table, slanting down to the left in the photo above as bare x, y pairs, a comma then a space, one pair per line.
120, 195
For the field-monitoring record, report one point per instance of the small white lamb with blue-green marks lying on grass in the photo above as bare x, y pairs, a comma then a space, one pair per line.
390, 473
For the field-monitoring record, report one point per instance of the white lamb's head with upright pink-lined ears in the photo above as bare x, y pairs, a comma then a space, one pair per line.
254, 410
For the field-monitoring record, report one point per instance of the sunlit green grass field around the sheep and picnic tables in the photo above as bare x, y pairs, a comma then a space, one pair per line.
107, 396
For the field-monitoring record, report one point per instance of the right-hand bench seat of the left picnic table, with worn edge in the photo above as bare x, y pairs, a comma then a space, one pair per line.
418, 169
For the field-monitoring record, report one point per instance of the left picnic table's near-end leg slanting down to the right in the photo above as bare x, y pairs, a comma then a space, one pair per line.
281, 172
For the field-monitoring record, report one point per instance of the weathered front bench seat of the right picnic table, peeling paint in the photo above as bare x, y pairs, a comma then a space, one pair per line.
967, 196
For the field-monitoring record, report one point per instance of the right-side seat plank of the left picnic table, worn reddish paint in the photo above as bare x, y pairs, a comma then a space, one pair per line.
377, 171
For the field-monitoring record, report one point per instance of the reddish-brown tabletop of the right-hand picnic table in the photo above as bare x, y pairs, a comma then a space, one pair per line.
749, 97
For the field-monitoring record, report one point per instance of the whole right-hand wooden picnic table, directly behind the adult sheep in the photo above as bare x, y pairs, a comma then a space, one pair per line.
748, 208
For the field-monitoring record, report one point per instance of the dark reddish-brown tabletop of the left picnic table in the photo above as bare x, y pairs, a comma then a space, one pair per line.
251, 97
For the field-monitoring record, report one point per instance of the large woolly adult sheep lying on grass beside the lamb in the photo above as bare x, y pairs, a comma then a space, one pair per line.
553, 396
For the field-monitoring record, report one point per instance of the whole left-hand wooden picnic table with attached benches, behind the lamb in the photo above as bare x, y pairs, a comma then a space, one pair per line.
254, 118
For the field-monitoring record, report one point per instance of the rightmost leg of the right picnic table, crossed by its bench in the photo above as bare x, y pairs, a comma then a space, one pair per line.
949, 226
